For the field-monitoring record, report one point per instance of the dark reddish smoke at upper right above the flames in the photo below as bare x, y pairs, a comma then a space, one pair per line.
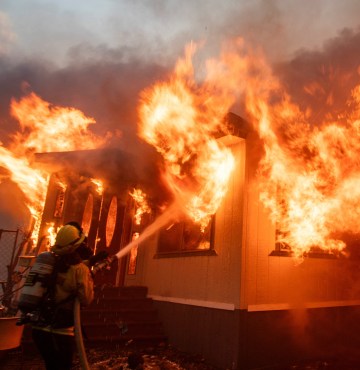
322, 80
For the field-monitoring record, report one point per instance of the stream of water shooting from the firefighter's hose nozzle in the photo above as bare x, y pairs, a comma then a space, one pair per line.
172, 213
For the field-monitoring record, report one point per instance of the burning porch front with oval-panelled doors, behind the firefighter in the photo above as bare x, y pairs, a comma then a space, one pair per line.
83, 187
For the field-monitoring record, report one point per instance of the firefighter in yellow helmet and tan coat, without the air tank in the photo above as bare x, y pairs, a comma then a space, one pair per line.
53, 332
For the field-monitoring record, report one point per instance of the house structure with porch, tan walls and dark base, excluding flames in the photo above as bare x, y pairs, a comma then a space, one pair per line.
232, 287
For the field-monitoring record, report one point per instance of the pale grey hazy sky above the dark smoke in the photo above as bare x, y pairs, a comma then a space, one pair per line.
59, 31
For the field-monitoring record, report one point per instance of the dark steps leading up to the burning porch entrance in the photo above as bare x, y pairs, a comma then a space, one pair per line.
122, 314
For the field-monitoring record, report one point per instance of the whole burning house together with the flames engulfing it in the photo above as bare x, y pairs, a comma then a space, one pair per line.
248, 245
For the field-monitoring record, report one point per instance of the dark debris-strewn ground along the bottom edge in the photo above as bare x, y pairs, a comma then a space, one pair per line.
157, 358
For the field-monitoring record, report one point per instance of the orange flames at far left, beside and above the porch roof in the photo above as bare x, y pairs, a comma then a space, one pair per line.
43, 128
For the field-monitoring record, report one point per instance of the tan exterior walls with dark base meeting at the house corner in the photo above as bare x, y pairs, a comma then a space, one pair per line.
244, 308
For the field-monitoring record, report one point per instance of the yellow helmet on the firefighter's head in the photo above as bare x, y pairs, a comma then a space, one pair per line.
67, 240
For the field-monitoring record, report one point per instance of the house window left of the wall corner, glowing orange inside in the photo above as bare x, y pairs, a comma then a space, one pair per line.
186, 238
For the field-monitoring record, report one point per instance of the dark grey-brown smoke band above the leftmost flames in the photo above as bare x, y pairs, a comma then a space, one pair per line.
107, 91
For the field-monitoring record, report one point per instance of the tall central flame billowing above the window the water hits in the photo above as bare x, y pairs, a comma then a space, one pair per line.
180, 119
